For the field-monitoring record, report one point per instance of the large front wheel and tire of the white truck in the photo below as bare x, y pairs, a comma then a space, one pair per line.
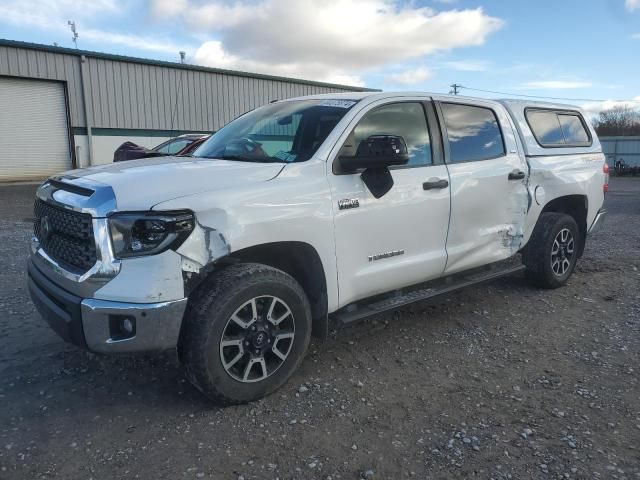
230, 326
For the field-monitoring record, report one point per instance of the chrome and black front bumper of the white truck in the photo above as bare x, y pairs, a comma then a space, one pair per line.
95, 324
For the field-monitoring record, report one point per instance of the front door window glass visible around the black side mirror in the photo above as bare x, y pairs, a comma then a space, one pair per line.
407, 120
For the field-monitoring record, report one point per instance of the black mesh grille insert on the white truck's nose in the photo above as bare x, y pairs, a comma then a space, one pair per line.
65, 235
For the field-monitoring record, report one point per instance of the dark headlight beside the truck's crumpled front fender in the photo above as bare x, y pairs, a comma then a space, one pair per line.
148, 233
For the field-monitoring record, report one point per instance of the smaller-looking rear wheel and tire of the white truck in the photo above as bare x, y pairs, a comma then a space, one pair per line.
550, 260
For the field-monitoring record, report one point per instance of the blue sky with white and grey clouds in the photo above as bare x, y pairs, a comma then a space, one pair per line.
588, 50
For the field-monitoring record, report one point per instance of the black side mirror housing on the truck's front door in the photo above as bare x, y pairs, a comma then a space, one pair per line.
377, 151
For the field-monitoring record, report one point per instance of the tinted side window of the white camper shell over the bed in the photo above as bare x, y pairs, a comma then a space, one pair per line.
558, 129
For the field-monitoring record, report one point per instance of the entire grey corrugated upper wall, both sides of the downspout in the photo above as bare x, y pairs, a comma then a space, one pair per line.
125, 94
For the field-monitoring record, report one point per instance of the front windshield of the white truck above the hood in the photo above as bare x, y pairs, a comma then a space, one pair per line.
282, 132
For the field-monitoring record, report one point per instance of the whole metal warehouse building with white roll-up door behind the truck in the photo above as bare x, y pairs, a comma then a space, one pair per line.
63, 108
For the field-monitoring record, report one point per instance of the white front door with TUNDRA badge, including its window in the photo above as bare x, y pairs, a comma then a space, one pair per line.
399, 239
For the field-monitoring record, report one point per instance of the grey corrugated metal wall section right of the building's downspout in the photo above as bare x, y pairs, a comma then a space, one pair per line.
128, 95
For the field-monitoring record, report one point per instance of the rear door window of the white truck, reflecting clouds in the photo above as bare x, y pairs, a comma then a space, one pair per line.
474, 133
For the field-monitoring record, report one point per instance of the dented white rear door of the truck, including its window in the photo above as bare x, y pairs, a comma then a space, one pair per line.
489, 198
